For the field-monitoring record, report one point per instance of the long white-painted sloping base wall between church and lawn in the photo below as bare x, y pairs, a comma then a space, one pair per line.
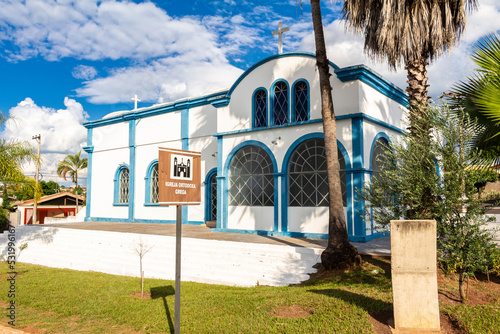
204, 261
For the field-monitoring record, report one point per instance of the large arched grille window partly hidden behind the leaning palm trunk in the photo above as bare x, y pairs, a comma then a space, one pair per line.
307, 176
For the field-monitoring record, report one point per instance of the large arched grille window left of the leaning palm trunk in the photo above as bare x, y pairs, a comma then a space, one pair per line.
251, 180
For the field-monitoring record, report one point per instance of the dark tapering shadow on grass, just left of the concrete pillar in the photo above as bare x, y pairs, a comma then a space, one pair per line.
376, 308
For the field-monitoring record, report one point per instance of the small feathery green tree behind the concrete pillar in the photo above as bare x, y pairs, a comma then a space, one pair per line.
464, 245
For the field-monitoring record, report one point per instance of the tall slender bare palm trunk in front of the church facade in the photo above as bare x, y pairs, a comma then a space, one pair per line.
339, 252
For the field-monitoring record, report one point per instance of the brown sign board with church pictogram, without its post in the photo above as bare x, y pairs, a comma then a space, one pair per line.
179, 177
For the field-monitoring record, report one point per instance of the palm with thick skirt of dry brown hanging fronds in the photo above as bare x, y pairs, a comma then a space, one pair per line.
411, 33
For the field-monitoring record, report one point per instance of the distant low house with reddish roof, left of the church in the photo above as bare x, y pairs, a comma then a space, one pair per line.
59, 205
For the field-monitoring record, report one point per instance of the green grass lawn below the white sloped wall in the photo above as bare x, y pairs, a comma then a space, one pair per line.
52, 300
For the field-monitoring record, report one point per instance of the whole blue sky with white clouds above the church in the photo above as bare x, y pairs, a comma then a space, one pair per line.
65, 62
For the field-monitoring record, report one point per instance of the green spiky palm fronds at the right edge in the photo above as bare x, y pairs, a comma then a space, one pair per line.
479, 96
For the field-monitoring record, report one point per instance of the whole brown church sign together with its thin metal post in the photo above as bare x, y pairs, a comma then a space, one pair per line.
179, 182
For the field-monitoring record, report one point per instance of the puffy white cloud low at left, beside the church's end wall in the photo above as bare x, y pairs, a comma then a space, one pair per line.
61, 131
